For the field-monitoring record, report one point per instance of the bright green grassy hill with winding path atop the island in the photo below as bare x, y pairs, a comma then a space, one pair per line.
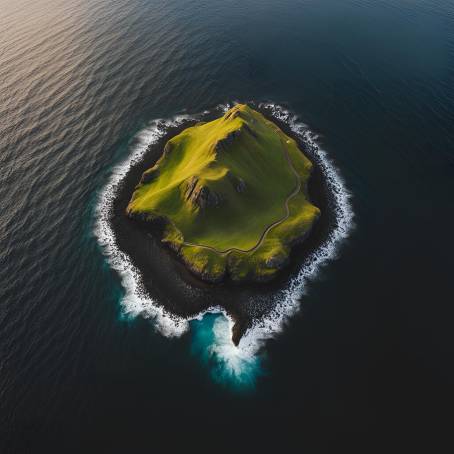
234, 194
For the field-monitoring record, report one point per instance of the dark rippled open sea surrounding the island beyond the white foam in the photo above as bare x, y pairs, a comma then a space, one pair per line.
367, 359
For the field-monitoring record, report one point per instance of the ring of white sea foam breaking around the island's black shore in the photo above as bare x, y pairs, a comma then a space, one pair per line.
136, 300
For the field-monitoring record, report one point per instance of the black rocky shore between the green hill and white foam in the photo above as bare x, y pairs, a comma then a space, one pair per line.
167, 280
